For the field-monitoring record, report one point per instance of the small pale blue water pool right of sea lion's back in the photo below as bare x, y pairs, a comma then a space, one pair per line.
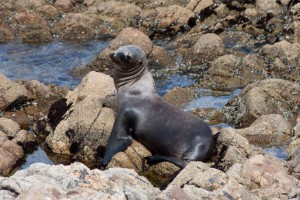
209, 101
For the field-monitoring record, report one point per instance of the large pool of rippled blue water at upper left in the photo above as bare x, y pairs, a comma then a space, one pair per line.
48, 63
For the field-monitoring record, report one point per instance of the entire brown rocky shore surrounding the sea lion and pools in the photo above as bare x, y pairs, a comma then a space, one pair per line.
225, 45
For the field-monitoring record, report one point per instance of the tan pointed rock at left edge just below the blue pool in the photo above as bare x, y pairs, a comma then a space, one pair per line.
12, 94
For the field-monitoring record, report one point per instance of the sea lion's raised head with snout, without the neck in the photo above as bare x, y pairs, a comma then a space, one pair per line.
129, 57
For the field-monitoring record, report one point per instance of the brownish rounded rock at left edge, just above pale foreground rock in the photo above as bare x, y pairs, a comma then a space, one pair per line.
10, 154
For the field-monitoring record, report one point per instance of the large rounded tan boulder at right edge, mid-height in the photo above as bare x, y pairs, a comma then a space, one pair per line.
270, 96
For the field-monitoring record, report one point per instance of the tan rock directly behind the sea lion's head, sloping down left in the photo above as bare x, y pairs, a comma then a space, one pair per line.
103, 63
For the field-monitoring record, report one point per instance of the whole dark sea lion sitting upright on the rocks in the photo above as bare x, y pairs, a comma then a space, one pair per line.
168, 132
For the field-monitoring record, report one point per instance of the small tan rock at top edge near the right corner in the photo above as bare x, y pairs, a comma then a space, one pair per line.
268, 6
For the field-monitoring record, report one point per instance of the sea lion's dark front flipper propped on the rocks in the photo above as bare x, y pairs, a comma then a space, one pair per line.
119, 139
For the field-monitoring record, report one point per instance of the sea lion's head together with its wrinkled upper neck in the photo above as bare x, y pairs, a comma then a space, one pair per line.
131, 63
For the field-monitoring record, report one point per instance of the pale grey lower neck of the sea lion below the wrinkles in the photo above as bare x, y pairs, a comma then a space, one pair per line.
142, 85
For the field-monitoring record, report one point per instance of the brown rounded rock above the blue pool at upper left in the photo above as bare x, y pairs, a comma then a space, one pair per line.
75, 26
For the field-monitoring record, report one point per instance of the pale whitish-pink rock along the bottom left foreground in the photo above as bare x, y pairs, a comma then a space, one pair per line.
76, 181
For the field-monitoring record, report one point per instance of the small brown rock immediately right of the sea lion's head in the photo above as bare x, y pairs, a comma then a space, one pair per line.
160, 58
